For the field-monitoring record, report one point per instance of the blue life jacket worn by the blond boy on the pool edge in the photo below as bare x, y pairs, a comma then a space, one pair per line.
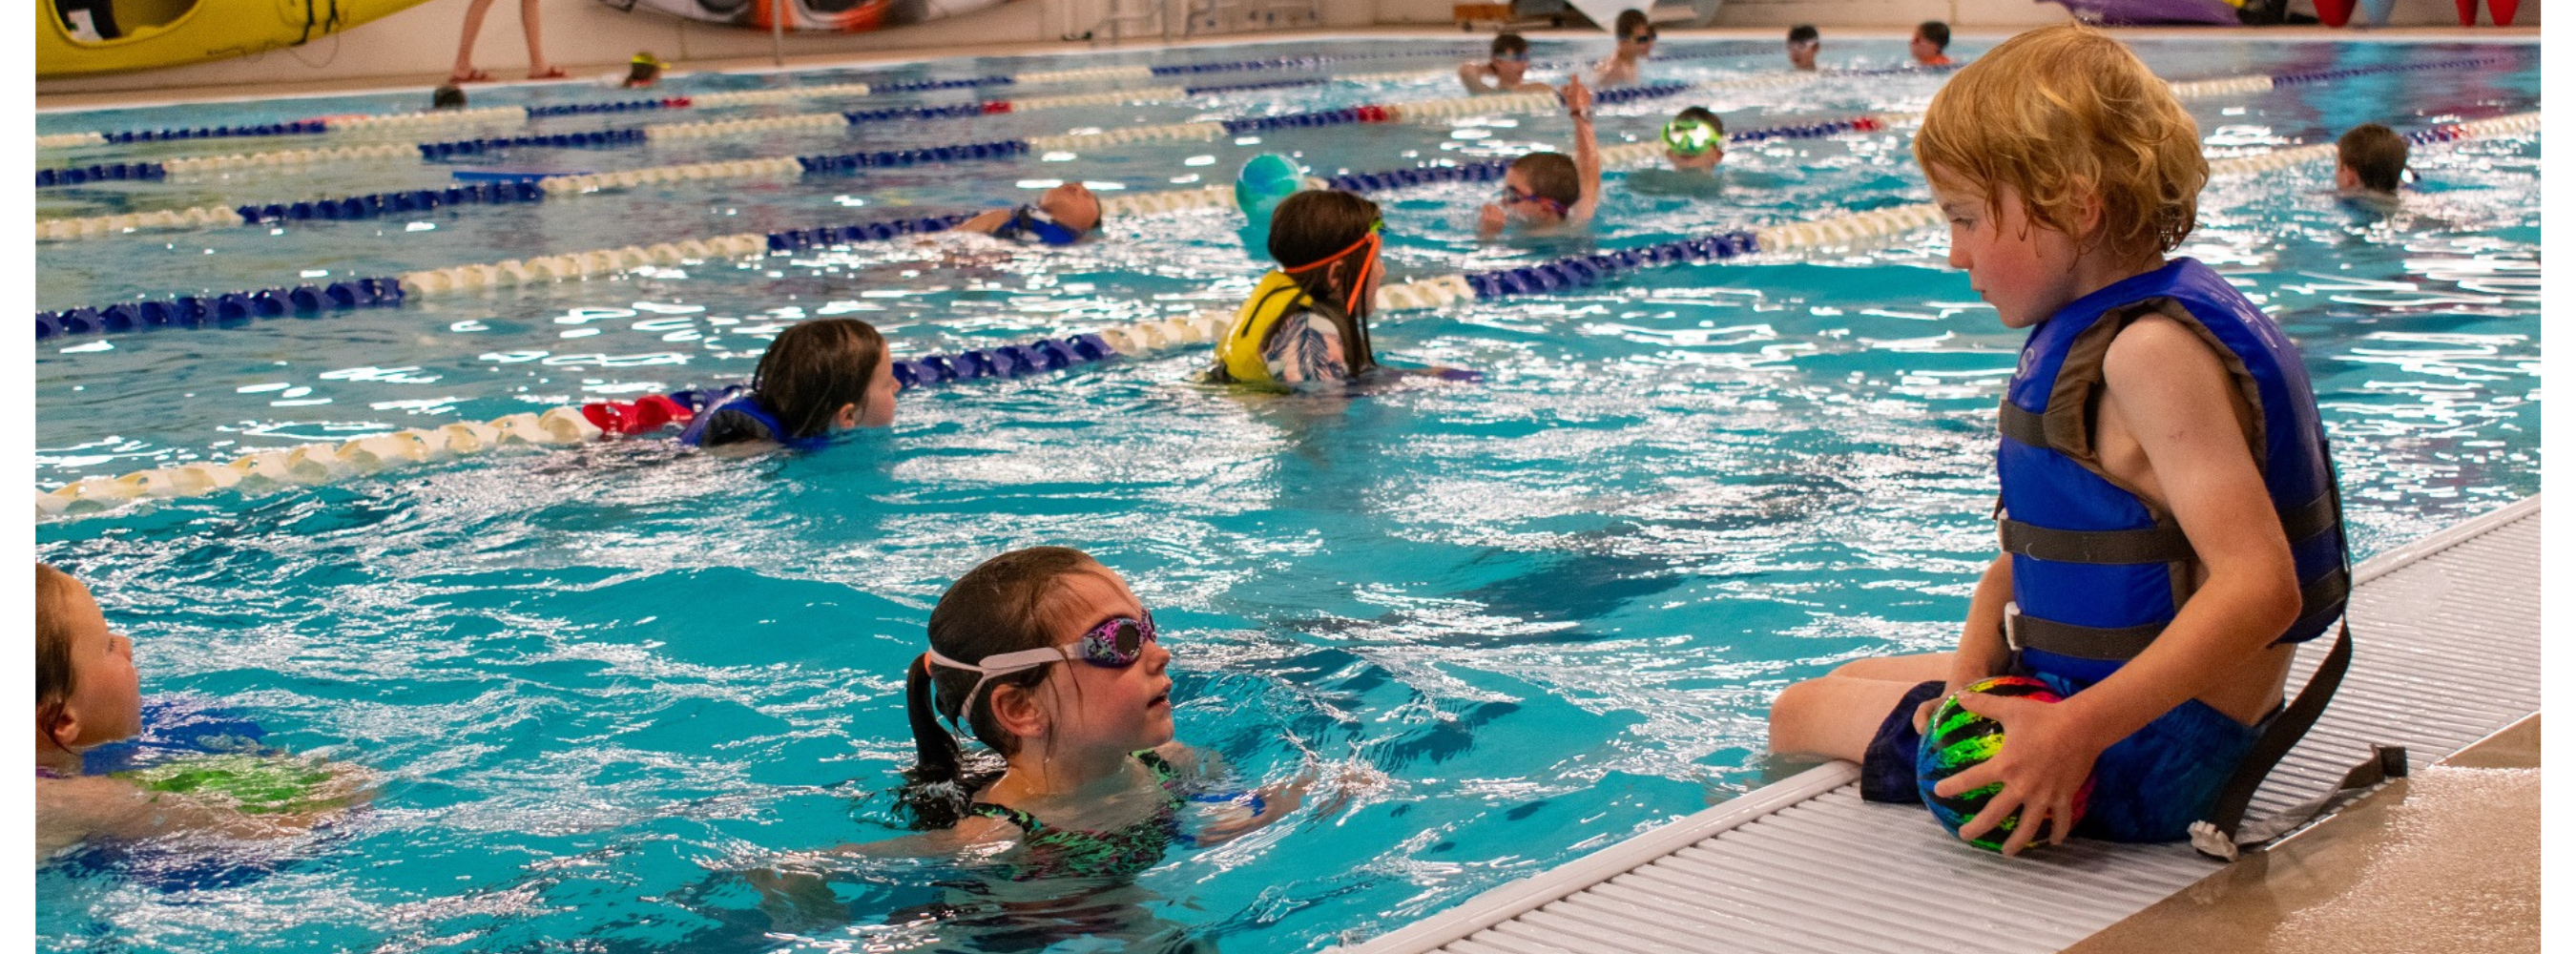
2096, 571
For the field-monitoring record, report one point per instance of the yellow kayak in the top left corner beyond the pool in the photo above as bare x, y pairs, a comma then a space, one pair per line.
79, 37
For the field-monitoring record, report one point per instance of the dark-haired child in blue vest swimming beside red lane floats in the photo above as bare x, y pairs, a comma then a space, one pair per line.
808, 375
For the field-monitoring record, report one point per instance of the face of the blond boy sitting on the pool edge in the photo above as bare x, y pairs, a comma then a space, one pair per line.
2023, 269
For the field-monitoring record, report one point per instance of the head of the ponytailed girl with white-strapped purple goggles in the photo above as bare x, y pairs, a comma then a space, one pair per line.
1034, 599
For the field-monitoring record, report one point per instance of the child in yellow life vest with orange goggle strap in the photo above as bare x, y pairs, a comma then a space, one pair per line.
1307, 324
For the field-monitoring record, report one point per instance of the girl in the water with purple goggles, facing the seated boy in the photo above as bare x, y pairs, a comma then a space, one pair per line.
1050, 659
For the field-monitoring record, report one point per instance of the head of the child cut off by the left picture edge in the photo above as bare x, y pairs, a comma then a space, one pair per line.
86, 687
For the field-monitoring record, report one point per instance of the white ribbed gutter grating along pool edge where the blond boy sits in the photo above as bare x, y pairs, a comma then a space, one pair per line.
2446, 654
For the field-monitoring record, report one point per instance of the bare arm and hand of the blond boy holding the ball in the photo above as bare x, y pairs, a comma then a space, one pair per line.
2173, 396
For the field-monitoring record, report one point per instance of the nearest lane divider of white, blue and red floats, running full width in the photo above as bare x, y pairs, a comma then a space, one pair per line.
560, 427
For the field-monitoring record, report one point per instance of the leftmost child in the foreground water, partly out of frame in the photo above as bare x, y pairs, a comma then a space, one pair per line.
89, 695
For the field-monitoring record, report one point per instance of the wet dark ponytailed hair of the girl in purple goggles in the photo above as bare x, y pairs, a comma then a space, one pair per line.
998, 607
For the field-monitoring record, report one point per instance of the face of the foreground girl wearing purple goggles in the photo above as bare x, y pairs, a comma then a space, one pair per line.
1106, 708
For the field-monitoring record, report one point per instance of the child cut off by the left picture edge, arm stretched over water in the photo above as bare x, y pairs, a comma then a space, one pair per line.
86, 697
